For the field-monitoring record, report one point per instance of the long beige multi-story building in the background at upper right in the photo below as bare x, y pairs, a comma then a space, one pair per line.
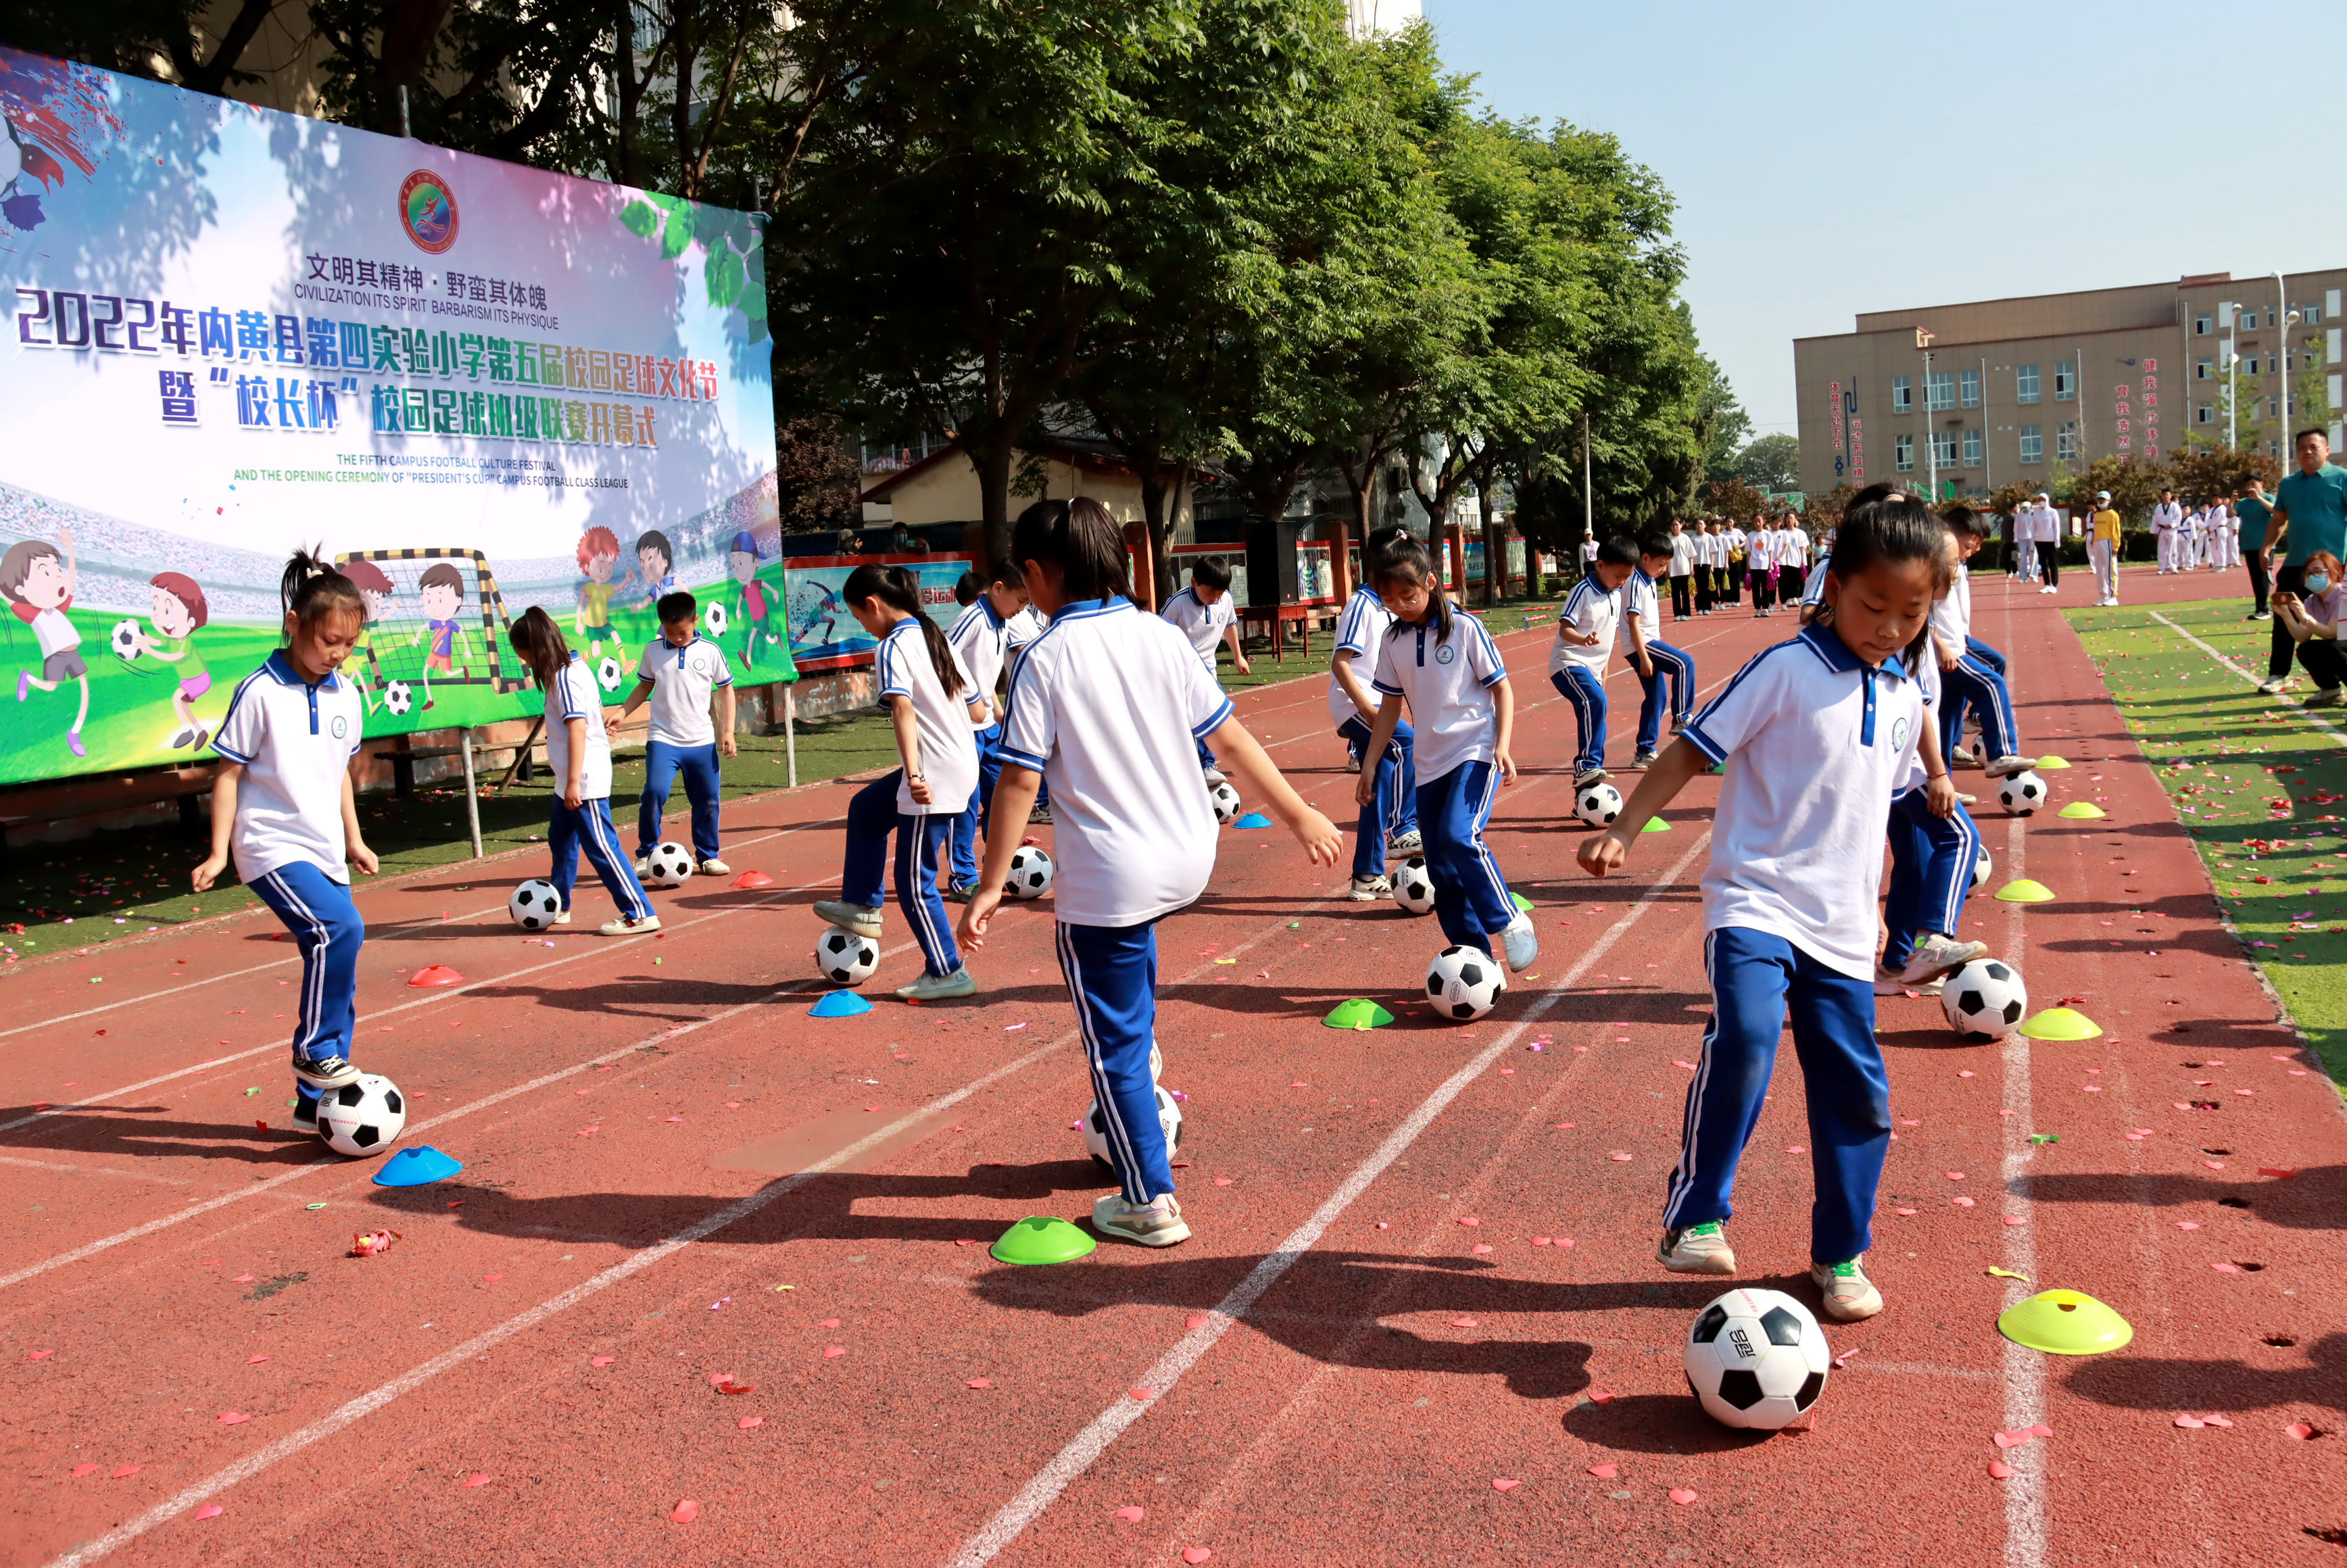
1998, 391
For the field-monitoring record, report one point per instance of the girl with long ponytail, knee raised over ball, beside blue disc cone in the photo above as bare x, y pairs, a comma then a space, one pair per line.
935, 710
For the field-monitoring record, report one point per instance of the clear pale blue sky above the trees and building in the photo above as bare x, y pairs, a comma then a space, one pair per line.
2013, 147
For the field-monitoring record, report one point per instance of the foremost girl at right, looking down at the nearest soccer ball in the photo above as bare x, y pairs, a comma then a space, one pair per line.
1790, 898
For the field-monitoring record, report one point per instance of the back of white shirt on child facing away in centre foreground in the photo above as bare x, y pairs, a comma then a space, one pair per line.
1109, 708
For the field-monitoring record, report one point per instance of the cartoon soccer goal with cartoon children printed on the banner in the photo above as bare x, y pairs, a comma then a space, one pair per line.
433, 619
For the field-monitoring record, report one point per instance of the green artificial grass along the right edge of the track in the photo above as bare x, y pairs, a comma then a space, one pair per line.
2259, 783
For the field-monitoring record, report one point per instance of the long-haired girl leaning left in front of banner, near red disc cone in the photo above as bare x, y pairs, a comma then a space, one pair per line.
579, 757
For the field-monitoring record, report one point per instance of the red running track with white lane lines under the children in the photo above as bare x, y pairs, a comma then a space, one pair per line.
675, 1175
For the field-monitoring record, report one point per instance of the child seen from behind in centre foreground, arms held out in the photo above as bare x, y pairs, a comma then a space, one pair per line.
1109, 705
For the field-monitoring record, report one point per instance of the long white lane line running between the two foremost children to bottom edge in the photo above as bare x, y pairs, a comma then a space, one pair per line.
1085, 1447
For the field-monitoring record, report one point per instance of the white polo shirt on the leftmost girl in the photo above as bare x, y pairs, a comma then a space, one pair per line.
297, 743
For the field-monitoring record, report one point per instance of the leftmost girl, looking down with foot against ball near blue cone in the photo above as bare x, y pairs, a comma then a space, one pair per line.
283, 806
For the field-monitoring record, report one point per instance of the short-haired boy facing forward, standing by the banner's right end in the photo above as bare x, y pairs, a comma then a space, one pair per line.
679, 673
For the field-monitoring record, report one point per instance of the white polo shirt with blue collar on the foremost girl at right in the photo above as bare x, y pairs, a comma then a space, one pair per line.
1787, 856
